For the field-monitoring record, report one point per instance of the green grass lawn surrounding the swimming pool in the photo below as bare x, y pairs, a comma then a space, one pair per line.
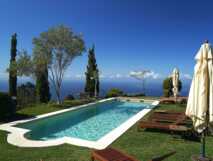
142, 145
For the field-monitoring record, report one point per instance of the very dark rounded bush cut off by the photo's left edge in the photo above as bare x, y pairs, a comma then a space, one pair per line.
7, 106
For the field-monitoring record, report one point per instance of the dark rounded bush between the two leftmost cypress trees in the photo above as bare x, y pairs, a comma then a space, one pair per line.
26, 95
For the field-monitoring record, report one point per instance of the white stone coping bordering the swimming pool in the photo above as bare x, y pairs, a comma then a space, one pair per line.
16, 134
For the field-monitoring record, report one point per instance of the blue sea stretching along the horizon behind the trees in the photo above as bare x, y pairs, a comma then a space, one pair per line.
75, 87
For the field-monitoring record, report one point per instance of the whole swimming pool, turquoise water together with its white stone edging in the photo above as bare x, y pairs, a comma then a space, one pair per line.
87, 125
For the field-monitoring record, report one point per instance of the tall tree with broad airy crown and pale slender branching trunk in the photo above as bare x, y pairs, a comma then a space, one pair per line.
56, 49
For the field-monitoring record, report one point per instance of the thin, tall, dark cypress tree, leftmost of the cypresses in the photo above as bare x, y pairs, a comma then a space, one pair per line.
12, 74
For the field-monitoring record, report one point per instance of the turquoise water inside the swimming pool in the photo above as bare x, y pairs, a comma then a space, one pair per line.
89, 123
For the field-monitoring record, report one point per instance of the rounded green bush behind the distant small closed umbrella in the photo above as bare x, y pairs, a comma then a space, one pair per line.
168, 86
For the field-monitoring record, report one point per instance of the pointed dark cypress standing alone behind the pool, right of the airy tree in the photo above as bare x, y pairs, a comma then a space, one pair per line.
92, 75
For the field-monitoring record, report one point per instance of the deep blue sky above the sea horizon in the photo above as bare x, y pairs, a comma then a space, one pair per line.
128, 34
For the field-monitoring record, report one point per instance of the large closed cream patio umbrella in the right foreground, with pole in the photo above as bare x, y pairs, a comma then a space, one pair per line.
200, 100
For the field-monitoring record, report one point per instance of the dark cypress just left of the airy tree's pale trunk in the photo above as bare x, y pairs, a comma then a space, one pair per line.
42, 86
